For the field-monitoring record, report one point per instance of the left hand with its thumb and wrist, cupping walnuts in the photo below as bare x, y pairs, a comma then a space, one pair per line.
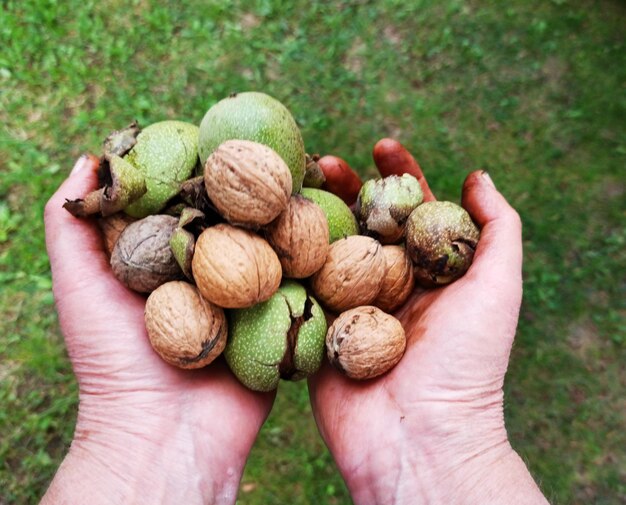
146, 431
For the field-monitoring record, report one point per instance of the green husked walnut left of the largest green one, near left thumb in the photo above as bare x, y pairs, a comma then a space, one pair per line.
166, 154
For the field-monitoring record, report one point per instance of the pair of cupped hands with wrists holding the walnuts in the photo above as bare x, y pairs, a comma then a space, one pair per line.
429, 431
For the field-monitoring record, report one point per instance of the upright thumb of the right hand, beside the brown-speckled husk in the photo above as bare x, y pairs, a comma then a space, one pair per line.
498, 258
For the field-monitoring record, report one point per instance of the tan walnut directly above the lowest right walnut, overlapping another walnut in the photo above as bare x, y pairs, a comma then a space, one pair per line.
351, 275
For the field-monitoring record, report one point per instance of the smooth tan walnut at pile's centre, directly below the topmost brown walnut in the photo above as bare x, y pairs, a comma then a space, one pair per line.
234, 268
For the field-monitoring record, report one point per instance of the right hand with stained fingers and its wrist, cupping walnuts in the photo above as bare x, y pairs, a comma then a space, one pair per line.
432, 429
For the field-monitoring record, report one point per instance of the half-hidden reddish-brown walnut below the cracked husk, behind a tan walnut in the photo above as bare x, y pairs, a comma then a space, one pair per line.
398, 281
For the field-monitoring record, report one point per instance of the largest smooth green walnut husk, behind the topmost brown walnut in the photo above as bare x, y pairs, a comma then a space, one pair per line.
257, 117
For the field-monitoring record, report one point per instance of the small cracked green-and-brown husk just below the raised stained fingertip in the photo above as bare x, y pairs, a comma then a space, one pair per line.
383, 206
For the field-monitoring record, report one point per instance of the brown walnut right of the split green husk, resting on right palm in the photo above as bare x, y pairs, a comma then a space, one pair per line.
365, 342
